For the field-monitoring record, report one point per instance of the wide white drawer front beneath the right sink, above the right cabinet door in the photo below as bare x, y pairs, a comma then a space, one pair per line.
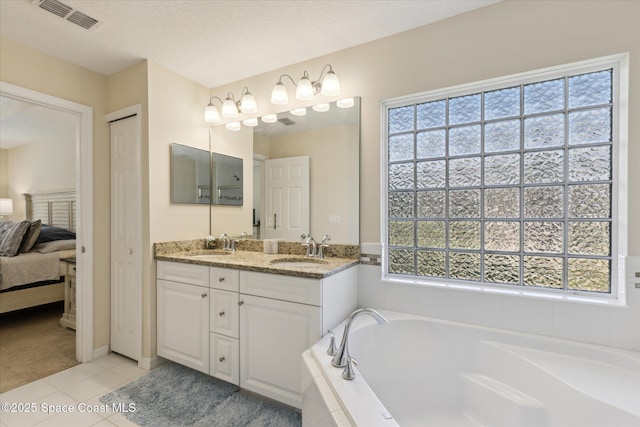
286, 288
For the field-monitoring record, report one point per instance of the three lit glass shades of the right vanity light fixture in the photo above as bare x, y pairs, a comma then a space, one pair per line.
327, 85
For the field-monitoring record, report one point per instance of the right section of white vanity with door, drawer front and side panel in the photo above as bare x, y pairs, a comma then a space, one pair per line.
281, 317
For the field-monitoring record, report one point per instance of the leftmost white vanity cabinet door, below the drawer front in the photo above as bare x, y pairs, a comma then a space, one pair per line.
183, 324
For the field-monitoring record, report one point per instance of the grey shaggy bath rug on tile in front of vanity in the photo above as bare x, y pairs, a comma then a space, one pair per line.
173, 395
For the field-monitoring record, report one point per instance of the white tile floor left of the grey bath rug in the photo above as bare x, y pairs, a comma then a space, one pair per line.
78, 388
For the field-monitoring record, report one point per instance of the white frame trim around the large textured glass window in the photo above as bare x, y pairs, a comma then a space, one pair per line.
619, 203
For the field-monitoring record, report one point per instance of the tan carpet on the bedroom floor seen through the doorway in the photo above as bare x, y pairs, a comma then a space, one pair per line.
33, 345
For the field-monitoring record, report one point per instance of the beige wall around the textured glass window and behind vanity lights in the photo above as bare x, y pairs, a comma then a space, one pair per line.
502, 39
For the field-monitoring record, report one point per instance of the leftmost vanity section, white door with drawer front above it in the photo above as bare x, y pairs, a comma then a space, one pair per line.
183, 314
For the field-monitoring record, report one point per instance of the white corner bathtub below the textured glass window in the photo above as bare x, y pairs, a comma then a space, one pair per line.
418, 371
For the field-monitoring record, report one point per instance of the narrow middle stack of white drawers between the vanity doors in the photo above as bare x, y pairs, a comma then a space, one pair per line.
224, 325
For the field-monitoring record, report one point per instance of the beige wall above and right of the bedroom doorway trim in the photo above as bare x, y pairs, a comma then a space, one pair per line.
35, 70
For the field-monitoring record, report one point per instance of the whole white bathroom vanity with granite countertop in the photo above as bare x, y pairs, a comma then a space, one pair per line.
247, 317
